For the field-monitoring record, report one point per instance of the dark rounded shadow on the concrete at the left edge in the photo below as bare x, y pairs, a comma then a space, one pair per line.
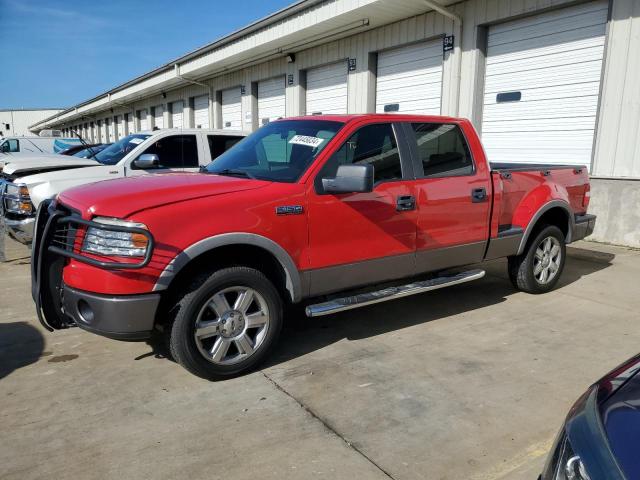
21, 344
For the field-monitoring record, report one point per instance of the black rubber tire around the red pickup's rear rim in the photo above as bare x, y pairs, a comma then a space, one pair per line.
522, 267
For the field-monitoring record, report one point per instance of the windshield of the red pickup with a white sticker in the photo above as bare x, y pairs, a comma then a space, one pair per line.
279, 152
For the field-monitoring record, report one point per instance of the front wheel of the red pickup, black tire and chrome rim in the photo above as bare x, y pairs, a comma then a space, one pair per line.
227, 324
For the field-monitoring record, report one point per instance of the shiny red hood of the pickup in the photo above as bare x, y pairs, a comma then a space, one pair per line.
123, 197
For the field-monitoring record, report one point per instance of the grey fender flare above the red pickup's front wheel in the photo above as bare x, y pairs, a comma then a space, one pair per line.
292, 275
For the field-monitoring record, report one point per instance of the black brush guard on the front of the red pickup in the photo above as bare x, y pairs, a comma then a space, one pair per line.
54, 241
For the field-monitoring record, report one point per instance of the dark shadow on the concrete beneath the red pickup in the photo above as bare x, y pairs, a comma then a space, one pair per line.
302, 335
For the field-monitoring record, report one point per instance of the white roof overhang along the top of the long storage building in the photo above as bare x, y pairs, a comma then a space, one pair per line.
300, 26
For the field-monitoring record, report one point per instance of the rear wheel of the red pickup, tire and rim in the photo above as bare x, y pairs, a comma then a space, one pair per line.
539, 268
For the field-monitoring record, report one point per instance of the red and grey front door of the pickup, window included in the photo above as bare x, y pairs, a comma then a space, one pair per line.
363, 238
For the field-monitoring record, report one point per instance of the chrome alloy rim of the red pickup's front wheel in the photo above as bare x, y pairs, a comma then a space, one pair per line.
232, 325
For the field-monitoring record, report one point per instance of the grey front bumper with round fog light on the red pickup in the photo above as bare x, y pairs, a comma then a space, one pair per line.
121, 317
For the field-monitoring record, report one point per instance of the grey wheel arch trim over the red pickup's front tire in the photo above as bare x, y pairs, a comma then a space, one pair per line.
236, 242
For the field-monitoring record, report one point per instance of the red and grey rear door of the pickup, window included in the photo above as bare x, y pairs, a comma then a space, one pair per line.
453, 196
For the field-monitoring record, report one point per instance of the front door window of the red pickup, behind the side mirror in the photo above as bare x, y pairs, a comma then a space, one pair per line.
375, 144
